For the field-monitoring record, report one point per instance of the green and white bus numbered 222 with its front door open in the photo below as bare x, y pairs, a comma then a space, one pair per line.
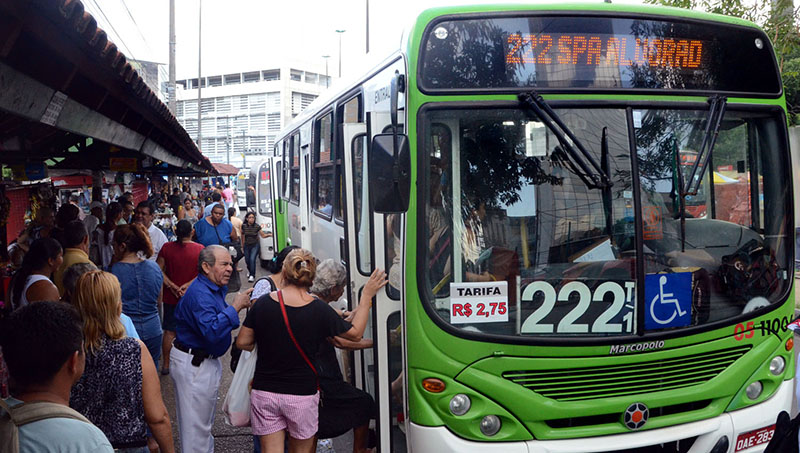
518, 171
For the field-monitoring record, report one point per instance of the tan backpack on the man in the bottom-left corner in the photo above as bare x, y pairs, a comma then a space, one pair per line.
25, 413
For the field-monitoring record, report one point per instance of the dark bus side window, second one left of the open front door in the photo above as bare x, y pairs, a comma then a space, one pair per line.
324, 166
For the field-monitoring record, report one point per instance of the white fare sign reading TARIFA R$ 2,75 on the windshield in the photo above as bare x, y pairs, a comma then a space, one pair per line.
478, 302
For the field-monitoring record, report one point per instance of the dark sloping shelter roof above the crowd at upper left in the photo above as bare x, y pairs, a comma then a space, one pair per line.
66, 88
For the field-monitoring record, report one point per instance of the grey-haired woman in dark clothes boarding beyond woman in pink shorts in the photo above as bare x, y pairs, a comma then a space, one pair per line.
343, 407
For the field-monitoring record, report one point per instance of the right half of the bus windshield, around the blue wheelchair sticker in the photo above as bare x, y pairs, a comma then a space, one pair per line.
735, 258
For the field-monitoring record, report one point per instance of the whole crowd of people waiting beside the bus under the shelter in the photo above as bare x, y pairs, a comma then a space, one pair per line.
97, 306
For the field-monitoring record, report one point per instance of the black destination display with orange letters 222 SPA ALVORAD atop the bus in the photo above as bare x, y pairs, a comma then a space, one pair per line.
559, 52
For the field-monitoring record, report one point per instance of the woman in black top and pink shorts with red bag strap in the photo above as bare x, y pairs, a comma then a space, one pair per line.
285, 393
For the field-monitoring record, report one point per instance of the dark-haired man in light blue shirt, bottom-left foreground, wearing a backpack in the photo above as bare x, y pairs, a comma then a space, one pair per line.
43, 348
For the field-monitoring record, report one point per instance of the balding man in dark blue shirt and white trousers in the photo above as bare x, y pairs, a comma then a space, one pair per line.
202, 334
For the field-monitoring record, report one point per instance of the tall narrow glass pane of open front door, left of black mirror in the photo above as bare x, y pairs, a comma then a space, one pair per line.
361, 206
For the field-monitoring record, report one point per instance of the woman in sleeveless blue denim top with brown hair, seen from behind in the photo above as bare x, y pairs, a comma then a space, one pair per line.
141, 281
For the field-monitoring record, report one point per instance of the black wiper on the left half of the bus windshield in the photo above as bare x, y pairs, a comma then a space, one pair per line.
588, 169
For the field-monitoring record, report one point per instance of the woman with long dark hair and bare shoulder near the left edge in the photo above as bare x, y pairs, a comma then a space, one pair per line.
32, 281
